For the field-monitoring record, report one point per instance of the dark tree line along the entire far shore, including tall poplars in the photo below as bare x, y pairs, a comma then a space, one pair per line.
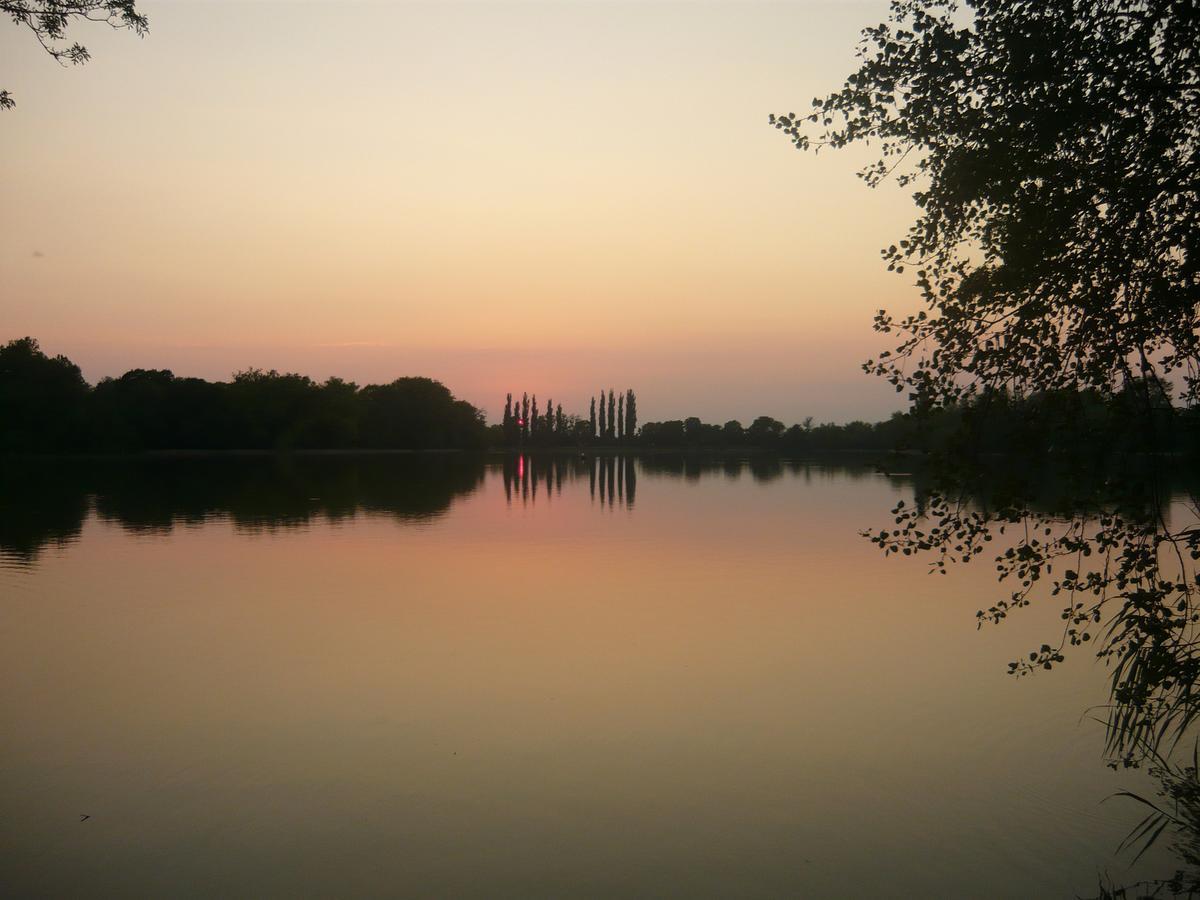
49, 410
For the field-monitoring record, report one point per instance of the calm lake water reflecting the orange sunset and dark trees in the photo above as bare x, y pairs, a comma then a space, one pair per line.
451, 677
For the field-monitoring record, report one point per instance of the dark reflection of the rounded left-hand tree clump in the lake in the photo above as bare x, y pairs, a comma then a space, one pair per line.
46, 503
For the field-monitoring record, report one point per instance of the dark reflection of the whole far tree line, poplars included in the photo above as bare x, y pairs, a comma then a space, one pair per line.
45, 505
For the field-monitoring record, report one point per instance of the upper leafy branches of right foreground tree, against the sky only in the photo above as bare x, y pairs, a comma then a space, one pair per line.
1055, 147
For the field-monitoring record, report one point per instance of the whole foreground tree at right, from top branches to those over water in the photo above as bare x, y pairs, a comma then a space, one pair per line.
1057, 250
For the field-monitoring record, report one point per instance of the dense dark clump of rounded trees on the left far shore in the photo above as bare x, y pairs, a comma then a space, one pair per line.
46, 406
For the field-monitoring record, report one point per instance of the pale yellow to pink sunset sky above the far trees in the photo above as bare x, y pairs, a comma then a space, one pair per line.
554, 197
